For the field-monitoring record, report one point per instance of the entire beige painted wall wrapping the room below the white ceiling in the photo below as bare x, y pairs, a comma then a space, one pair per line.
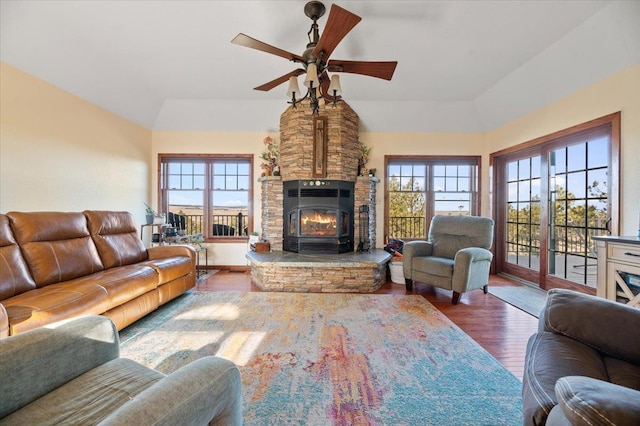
59, 152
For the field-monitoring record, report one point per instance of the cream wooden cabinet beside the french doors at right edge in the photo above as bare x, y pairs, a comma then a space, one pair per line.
619, 269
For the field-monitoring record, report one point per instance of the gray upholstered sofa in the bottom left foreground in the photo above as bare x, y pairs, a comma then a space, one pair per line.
70, 373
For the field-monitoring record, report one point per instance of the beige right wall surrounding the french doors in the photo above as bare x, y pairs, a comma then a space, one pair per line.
619, 92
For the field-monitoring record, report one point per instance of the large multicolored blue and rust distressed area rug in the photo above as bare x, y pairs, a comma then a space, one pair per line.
341, 359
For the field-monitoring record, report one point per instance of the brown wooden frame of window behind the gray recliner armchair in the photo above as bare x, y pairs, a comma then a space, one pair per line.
430, 161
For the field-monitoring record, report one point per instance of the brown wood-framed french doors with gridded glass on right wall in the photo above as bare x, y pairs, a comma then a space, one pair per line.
553, 195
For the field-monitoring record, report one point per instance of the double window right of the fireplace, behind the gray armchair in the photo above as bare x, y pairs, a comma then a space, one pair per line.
421, 187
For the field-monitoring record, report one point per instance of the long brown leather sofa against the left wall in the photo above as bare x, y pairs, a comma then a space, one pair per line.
57, 265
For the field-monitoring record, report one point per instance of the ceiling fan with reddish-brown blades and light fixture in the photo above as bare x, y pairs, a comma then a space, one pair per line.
315, 60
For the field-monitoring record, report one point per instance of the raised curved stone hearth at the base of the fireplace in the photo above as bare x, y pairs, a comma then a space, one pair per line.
328, 273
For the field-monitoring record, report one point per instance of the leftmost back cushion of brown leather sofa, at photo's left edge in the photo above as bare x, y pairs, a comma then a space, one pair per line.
14, 275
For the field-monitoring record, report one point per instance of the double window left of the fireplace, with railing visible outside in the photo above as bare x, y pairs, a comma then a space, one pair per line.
212, 193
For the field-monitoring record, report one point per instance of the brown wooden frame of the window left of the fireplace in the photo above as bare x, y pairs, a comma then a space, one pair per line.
209, 159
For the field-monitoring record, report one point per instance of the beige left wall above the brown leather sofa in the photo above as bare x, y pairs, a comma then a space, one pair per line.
59, 152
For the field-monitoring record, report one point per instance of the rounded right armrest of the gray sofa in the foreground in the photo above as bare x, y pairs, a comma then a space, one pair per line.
214, 390
